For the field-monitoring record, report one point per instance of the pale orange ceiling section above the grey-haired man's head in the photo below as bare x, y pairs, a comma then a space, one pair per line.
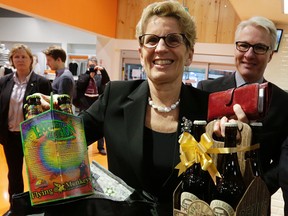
271, 9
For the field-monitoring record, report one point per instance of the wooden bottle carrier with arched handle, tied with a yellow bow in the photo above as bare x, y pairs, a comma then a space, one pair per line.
256, 199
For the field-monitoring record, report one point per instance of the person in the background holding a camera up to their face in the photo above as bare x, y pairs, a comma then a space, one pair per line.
88, 88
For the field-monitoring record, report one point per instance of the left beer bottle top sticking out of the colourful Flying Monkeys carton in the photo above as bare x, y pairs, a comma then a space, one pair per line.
33, 106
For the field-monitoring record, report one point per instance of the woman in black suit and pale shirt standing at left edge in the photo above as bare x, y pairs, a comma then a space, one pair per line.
14, 88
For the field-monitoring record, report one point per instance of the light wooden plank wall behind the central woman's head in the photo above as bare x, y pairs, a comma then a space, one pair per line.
216, 20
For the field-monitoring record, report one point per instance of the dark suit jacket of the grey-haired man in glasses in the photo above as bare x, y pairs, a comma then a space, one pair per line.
275, 126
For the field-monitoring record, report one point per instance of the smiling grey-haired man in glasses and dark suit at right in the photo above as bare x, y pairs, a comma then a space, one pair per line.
255, 41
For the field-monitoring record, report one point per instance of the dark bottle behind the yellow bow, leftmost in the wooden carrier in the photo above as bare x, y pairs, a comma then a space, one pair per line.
195, 180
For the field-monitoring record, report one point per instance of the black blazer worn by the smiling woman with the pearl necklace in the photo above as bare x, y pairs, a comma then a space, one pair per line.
119, 115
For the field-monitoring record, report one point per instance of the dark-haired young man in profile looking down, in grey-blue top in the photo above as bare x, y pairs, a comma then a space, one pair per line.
64, 82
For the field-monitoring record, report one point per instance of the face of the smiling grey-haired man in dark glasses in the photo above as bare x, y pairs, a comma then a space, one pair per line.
251, 66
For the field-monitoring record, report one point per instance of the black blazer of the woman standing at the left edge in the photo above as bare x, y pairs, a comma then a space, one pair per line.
37, 83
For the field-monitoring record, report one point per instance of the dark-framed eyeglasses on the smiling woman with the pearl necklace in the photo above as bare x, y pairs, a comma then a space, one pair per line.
172, 40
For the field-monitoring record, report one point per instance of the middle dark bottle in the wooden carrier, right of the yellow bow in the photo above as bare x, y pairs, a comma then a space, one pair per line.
230, 188
